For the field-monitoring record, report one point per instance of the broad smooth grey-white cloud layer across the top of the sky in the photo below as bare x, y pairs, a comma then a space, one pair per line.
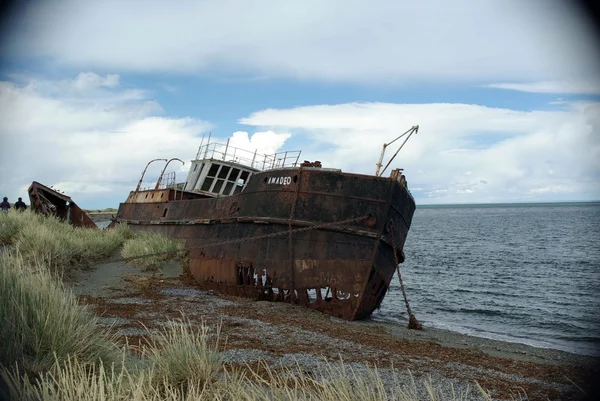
396, 42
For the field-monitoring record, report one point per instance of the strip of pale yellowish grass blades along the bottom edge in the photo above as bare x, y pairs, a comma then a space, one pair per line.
73, 380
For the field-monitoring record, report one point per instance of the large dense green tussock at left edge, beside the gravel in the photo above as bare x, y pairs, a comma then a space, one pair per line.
41, 323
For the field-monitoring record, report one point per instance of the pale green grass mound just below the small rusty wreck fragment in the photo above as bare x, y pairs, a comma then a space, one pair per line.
56, 244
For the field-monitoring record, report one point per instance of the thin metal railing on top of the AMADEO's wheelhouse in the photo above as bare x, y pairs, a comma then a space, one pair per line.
255, 160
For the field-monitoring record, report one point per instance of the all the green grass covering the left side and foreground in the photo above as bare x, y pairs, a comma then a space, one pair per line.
52, 348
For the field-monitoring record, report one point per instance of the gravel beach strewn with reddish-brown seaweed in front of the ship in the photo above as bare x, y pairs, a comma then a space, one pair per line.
135, 302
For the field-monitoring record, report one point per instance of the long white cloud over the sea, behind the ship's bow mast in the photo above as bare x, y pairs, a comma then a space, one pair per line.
462, 153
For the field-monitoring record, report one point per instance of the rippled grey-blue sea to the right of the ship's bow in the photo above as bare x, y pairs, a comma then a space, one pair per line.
526, 273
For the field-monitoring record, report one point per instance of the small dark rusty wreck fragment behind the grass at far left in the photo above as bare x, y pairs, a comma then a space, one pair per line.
47, 201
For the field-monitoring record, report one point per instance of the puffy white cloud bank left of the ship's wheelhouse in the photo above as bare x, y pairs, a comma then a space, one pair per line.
91, 147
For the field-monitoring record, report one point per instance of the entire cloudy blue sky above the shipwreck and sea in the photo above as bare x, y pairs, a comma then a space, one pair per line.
506, 93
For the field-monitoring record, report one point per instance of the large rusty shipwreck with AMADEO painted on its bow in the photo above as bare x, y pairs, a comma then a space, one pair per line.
273, 228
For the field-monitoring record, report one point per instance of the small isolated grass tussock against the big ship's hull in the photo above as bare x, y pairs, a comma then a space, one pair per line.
149, 243
